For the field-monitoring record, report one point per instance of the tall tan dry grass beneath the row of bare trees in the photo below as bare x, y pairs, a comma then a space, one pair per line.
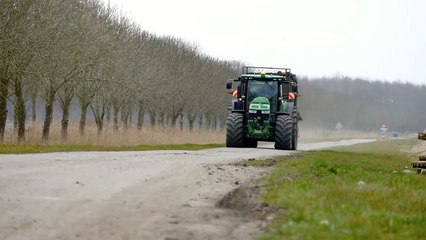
131, 136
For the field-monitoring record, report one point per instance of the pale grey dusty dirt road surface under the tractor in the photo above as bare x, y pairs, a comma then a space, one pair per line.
130, 195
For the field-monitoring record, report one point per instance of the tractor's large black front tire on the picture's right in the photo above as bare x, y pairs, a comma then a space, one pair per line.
283, 132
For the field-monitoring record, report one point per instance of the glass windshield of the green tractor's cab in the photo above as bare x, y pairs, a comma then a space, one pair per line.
268, 89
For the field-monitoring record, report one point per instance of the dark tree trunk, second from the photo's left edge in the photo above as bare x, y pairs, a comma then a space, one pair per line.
20, 110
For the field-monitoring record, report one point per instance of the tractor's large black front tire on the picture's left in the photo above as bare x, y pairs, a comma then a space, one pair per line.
234, 130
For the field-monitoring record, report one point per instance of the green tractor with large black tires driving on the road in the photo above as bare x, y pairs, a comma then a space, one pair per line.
264, 108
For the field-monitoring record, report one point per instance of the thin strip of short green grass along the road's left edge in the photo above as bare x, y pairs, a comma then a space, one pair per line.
18, 149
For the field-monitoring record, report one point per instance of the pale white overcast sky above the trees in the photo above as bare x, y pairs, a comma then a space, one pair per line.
373, 39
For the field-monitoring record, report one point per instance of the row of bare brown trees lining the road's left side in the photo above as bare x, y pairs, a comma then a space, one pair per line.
82, 52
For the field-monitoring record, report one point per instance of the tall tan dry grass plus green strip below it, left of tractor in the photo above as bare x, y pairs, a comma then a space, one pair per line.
123, 139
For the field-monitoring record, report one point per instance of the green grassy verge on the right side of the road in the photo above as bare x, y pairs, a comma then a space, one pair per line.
342, 194
